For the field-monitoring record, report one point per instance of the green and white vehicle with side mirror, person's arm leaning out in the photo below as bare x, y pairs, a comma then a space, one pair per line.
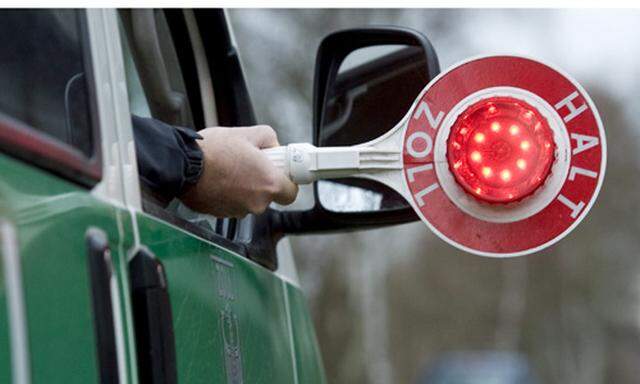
104, 282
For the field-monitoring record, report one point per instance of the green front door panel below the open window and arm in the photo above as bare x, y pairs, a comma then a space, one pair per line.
230, 316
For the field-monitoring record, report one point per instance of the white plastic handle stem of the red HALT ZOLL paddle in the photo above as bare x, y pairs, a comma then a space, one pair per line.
305, 163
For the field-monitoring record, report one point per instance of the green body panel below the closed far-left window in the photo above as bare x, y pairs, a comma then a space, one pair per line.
51, 217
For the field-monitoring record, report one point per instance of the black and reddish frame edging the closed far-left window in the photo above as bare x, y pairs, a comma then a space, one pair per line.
27, 143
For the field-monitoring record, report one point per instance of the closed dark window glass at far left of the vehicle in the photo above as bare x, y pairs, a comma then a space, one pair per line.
43, 76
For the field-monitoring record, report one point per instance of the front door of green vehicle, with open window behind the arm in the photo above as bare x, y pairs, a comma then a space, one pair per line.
213, 313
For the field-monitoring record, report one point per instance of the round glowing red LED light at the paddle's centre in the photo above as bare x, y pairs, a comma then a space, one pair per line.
500, 149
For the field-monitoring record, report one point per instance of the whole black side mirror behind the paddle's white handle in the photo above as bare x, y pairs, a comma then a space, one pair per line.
365, 81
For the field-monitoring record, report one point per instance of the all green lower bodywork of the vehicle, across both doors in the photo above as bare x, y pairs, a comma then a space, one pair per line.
233, 319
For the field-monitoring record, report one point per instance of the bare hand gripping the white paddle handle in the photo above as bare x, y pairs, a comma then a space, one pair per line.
237, 177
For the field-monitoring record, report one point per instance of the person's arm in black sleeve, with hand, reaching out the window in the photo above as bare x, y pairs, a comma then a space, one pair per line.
220, 171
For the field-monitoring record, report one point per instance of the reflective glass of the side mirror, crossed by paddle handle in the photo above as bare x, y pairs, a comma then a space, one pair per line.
371, 92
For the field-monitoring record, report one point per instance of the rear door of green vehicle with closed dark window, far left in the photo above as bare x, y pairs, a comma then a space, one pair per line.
63, 222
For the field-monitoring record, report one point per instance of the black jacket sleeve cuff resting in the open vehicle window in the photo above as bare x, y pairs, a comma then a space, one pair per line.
169, 159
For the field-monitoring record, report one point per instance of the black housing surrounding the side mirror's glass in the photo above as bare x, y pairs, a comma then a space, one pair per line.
331, 54
